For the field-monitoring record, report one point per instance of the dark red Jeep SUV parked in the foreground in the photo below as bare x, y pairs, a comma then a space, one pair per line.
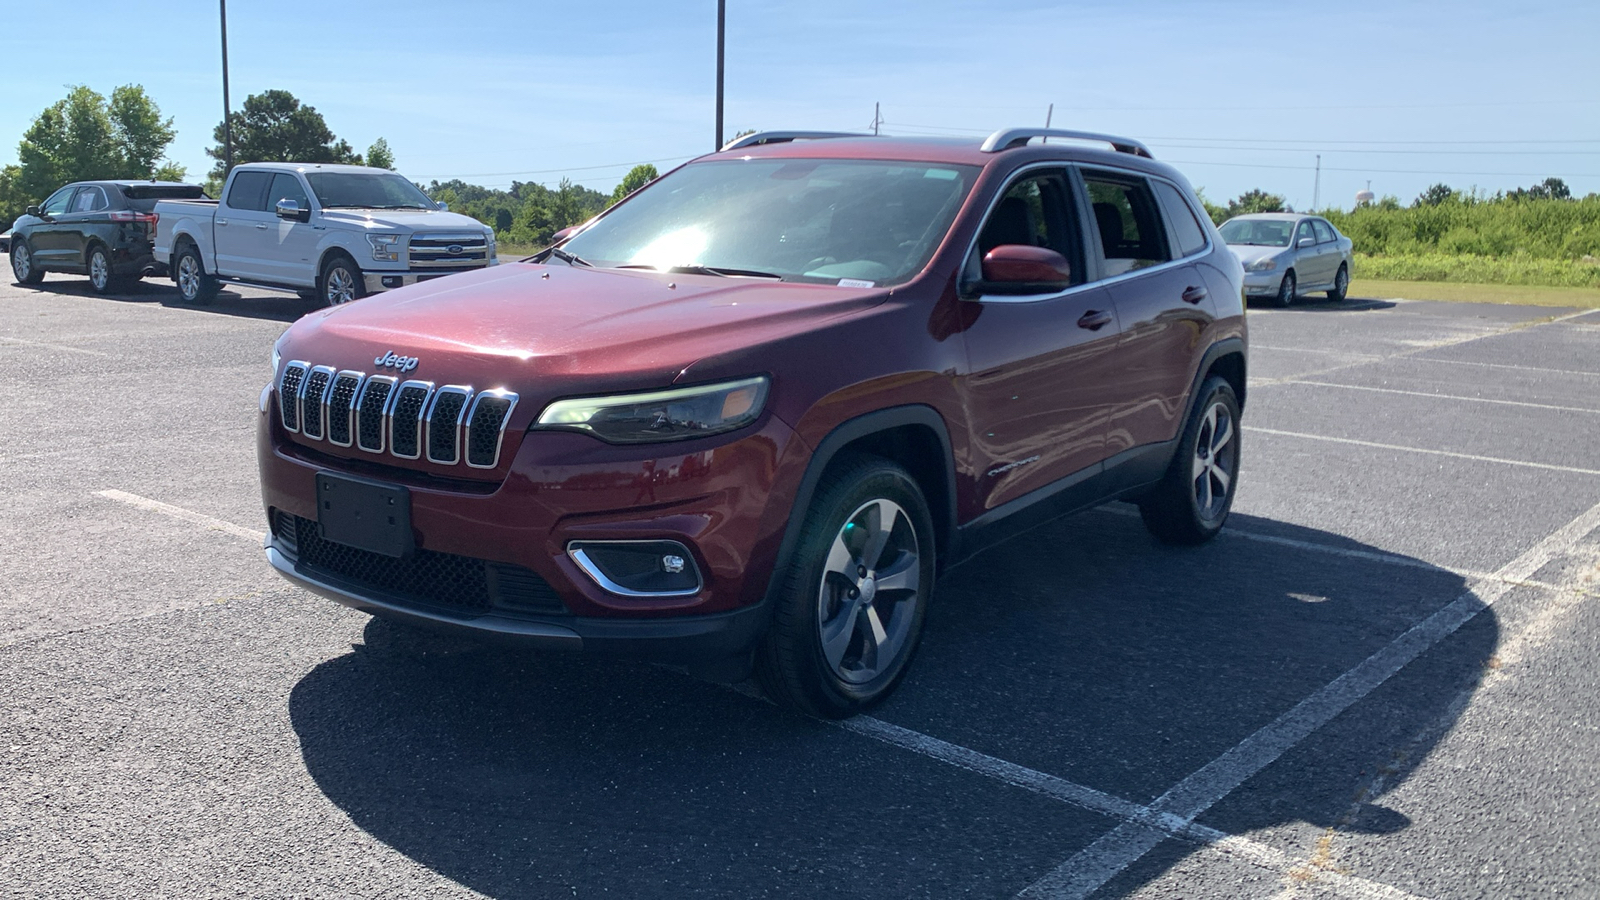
751, 414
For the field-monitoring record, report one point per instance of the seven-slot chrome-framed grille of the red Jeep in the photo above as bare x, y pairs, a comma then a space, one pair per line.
409, 420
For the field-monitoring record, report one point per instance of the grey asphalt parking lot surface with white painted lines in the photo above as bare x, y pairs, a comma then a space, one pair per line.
1378, 683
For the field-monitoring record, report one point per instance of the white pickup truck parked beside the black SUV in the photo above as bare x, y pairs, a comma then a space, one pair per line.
334, 233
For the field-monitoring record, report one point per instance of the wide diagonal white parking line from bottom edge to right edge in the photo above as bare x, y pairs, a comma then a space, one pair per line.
1111, 854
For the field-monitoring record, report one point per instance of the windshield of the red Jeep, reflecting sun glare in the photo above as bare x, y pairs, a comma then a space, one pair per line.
806, 220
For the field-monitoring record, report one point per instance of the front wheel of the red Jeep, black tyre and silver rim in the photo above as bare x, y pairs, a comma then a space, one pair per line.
854, 597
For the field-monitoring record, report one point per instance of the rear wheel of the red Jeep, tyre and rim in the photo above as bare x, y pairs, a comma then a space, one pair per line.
1193, 500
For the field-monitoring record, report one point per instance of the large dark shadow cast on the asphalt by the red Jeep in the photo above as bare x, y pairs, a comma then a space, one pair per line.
1082, 649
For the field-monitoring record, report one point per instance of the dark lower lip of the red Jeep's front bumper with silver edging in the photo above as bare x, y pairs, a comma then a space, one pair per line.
681, 640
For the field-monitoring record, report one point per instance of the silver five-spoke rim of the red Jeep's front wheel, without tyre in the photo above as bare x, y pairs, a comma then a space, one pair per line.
870, 593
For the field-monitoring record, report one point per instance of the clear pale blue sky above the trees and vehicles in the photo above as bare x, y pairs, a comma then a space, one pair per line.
1238, 95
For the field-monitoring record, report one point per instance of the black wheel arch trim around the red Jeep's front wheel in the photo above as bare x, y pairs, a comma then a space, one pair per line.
849, 433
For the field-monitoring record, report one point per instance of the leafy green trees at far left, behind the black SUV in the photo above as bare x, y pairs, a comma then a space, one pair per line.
84, 137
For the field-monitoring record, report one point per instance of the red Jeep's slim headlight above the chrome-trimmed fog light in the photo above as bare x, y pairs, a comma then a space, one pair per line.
662, 416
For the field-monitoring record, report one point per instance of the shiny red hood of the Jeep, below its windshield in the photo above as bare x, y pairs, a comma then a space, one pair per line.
548, 331
